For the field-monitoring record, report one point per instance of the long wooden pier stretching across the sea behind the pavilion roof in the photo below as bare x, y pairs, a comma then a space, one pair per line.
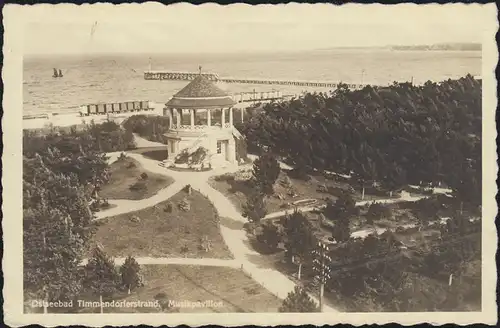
189, 76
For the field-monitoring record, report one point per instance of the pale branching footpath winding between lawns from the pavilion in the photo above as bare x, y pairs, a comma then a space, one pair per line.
232, 232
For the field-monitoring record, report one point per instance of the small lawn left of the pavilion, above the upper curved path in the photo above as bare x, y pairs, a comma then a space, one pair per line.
127, 172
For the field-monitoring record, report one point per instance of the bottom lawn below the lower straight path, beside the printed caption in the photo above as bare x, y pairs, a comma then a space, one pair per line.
230, 290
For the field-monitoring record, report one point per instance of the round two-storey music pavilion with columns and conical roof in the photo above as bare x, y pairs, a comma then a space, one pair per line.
202, 134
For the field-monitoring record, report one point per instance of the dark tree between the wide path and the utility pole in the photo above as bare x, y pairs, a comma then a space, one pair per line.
300, 238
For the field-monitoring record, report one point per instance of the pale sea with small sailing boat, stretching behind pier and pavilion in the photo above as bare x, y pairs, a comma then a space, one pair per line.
91, 79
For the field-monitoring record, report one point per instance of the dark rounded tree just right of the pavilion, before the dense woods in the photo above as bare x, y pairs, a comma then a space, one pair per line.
266, 170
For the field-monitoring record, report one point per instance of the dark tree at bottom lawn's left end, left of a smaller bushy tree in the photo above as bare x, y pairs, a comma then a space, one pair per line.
101, 276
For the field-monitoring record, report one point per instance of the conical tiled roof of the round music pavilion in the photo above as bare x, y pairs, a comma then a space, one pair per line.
200, 93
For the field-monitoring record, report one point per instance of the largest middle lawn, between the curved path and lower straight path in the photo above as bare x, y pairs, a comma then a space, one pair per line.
159, 233
